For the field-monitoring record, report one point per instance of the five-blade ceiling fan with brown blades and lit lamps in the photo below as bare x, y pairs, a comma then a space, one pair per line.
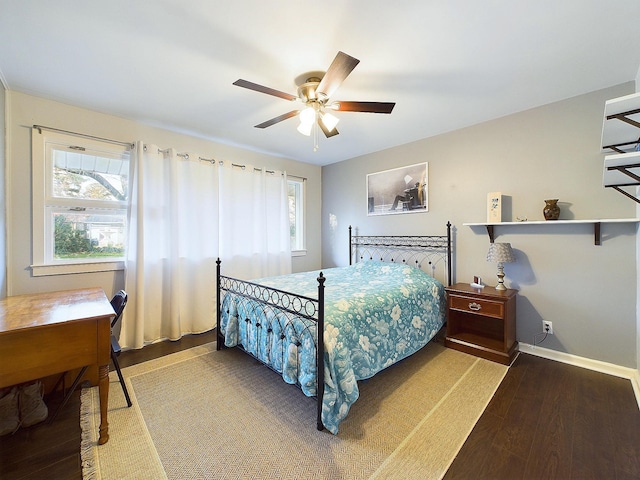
314, 92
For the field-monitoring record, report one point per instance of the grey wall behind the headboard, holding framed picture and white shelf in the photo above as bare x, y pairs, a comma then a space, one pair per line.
587, 291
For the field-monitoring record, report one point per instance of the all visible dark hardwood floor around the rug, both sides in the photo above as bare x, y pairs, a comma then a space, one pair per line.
547, 420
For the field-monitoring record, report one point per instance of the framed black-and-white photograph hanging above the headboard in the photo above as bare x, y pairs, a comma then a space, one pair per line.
400, 190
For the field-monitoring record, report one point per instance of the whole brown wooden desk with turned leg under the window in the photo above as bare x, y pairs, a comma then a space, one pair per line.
47, 333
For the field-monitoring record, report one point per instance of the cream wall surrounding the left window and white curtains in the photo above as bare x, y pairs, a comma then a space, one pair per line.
25, 111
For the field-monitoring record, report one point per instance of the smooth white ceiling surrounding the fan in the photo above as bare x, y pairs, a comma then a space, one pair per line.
446, 64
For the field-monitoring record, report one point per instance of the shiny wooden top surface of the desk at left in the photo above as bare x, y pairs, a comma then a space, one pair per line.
42, 309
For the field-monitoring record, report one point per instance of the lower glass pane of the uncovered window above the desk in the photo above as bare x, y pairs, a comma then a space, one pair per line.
88, 235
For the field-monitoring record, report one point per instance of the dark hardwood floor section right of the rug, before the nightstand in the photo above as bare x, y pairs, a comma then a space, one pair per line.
552, 420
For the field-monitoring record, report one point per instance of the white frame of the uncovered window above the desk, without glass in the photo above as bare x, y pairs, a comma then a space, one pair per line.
45, 204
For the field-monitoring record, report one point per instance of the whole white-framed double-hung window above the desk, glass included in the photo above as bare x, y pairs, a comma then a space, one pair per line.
80, 201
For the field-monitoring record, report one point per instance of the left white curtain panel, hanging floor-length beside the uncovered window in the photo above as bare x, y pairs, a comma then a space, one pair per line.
173, 246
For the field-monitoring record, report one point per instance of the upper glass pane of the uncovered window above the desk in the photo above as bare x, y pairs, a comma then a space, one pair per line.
89, 175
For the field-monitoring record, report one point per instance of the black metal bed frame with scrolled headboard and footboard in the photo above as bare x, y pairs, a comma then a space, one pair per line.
273, 303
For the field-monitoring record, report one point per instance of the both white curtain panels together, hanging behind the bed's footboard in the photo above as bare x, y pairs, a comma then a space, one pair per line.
185, 213
